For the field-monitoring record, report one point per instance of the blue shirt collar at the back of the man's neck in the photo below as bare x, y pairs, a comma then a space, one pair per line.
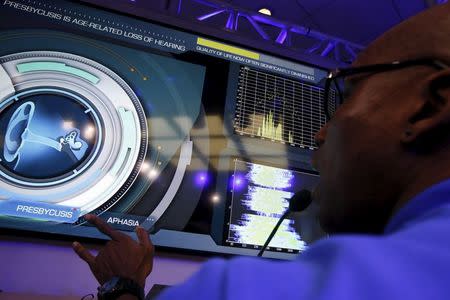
433, 197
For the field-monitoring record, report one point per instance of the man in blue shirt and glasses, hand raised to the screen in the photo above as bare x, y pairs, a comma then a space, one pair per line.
384, 160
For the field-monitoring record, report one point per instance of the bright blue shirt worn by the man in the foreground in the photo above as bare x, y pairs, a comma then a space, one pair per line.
411, 260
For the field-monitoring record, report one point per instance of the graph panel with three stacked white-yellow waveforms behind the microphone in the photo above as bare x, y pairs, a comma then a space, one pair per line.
260, 195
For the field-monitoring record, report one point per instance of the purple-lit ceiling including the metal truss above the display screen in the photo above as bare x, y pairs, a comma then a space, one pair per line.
336, 30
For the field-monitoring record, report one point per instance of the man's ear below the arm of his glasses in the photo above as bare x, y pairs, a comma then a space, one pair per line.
432, 118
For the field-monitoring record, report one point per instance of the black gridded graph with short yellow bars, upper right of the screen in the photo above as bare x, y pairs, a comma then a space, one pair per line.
278, 108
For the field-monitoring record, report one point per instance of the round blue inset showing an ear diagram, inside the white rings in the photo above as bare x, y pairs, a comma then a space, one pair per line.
47, 136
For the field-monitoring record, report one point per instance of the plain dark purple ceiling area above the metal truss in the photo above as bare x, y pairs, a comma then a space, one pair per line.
357, 21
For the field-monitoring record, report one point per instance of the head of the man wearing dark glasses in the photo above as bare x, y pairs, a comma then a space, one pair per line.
391, 138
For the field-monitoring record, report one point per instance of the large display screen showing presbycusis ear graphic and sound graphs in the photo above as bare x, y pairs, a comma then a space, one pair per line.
199, 141
